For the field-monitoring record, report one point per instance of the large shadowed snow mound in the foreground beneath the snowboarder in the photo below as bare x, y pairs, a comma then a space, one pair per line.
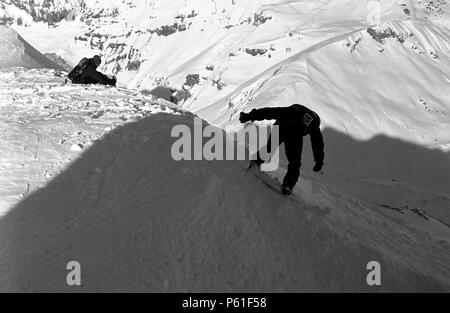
136, 220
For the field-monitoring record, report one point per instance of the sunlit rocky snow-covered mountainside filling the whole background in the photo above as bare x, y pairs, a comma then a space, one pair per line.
228, 56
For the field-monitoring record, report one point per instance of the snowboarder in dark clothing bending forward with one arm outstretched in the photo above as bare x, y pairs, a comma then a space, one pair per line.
294, 122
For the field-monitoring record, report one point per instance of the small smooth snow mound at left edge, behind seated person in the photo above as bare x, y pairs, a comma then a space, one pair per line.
15, 51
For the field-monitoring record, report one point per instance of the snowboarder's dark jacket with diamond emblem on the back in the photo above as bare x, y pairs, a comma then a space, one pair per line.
294, 121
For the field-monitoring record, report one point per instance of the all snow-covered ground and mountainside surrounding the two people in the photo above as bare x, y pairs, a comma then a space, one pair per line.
88, 175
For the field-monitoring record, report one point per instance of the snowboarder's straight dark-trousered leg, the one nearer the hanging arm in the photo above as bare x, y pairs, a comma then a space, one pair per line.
293, 147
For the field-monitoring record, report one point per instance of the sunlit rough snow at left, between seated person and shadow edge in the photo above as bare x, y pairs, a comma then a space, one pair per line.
36, 106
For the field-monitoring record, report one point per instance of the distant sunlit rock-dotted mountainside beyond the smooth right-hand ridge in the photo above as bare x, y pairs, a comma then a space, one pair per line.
147, 42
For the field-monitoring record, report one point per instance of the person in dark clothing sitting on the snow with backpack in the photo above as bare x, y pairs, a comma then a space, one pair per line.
86, 73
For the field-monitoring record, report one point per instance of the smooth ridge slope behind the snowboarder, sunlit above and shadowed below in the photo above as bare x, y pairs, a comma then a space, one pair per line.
369, 90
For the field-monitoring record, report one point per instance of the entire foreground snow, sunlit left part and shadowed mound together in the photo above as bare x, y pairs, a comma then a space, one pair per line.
137, 220
